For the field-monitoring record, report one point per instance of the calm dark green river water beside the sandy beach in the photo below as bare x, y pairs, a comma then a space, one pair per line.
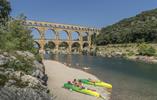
131, 80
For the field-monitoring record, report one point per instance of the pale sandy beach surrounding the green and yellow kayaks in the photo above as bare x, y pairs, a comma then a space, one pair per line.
58, 74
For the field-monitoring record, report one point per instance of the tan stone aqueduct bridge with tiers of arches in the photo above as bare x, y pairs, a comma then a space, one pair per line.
42, 27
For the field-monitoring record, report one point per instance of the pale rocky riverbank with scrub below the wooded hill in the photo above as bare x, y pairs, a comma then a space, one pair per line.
128, 51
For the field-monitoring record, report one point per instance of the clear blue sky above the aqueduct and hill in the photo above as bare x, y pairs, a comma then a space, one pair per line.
94, 13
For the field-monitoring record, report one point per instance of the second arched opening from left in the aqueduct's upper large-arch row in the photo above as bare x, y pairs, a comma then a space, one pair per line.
50, 34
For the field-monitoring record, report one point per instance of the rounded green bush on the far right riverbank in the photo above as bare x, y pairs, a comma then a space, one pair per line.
145, 49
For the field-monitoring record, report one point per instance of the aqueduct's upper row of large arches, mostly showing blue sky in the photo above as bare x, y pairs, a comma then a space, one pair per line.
63, 35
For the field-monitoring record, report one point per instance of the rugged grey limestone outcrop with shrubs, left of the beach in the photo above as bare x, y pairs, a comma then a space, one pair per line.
15, 81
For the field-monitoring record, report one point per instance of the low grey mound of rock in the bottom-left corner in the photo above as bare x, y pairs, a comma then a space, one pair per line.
14, 93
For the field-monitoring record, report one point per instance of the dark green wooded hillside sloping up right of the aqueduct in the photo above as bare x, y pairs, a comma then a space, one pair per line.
138, 29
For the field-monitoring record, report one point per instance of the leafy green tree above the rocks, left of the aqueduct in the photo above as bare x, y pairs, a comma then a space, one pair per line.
16, 36
